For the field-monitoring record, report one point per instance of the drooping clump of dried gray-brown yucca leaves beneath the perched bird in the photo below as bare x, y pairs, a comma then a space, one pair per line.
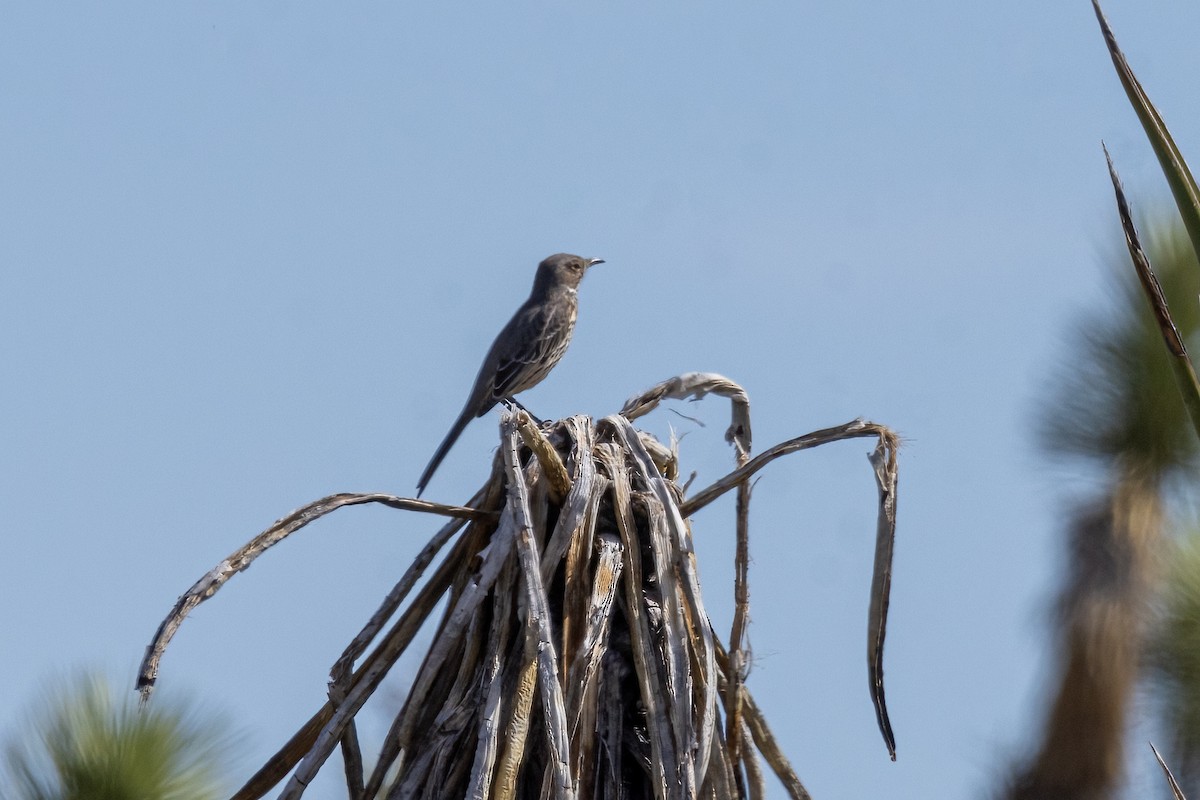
574, 658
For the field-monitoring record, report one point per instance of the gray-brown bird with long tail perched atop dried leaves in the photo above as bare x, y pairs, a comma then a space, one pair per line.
526, 350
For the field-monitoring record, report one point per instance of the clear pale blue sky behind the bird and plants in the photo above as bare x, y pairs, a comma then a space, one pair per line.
255, 252
